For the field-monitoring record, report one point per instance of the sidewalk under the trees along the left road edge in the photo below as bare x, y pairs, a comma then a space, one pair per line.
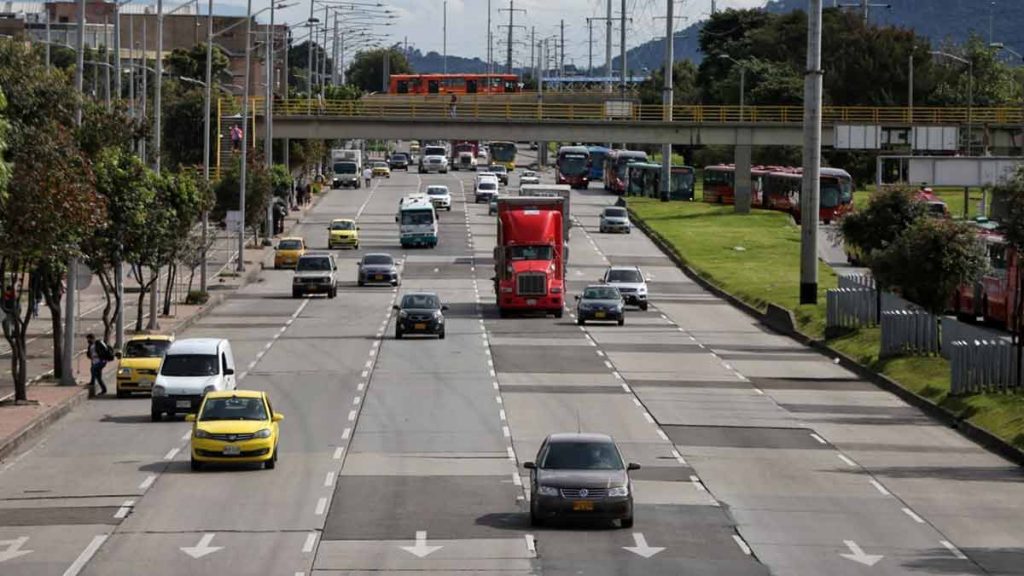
49, 401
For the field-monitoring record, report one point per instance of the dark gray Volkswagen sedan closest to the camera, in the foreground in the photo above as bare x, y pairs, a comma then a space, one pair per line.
581, 476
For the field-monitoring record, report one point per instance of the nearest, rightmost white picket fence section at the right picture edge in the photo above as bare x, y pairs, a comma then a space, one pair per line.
983, 366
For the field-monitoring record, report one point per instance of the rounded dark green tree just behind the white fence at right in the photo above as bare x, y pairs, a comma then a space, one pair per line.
929, 261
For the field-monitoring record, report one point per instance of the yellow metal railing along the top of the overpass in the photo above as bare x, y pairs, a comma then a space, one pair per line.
511, 111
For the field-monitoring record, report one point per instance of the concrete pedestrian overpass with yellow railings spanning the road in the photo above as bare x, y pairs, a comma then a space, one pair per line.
634, 124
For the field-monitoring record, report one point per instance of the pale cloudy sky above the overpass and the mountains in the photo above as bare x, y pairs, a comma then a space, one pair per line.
420, 22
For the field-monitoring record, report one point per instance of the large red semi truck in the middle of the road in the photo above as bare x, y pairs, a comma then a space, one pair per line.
532, 254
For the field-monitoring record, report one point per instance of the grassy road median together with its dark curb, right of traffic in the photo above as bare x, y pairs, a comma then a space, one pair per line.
753, 262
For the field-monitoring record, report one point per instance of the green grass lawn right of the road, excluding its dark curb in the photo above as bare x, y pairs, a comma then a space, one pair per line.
756, 258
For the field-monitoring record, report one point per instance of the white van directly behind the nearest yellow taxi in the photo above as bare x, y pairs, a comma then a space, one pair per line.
192, 368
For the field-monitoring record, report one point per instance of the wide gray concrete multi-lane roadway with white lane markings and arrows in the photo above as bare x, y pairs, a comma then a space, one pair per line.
405, 457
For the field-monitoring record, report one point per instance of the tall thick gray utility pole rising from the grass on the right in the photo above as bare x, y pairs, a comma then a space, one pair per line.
809, 199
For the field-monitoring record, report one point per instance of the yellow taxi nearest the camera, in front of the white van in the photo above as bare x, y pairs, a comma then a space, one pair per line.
235, 427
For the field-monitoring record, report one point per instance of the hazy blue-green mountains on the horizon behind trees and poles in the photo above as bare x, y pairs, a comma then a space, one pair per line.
941, 21
